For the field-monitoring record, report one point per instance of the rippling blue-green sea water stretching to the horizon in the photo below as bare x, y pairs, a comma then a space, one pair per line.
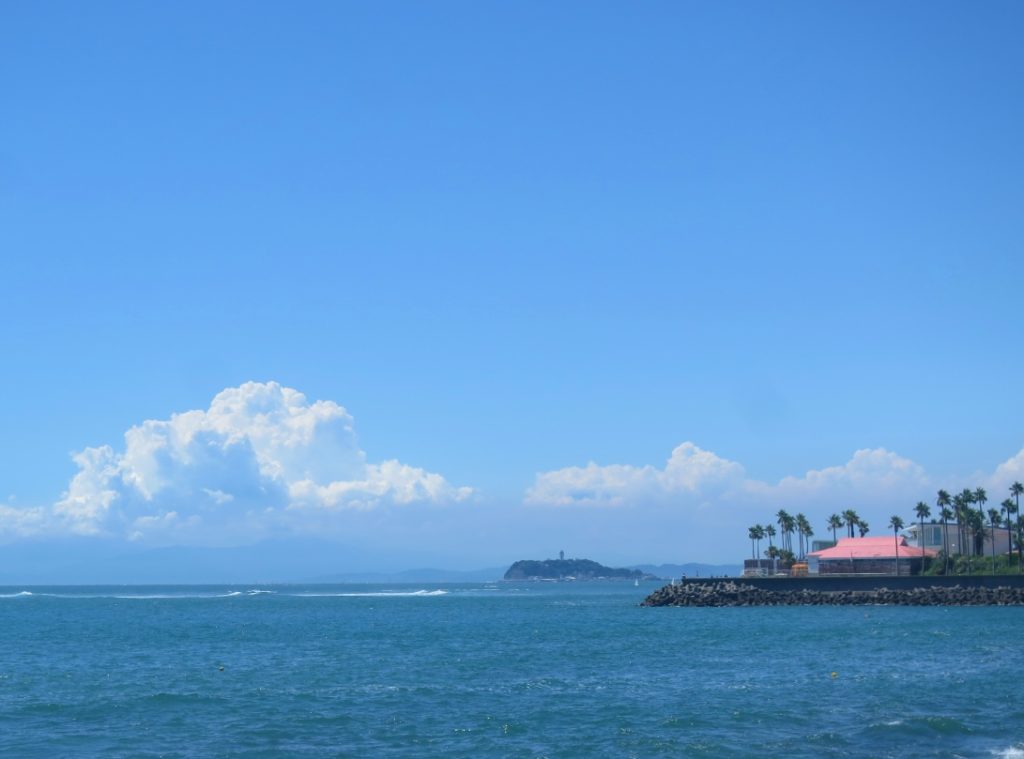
505, 670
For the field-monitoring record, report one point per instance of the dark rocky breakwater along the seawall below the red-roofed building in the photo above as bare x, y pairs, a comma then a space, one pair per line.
729, 594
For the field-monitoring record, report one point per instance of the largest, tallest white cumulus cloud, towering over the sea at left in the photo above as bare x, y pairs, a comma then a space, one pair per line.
260, 456
